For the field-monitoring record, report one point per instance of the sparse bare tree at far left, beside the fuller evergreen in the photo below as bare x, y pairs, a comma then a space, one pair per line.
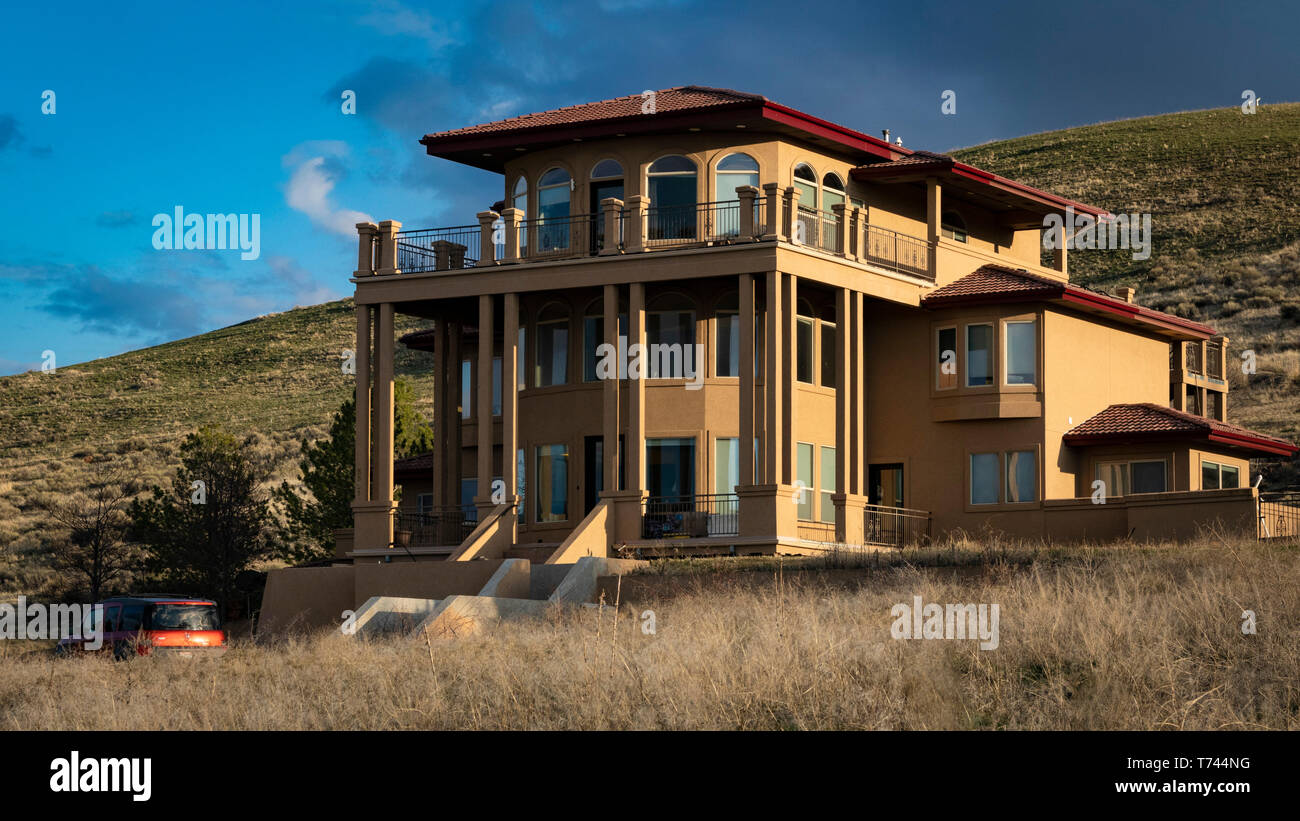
96, 550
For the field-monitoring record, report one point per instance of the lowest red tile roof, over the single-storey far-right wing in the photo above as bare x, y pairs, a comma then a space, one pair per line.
1149, 420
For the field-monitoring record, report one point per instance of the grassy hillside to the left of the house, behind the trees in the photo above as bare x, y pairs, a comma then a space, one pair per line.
278, 379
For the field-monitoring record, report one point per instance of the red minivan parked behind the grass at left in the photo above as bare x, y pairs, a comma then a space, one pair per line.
172, 625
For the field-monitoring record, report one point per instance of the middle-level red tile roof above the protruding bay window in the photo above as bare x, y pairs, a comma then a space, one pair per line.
991, 285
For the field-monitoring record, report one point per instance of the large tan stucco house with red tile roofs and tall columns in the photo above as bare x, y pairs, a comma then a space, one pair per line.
848, 342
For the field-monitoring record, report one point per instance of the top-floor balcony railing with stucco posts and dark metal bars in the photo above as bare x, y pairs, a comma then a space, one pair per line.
639, 227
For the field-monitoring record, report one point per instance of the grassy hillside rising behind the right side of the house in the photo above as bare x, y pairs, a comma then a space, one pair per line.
1224, 193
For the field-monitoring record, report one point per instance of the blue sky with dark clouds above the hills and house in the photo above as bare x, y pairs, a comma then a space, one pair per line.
236, 108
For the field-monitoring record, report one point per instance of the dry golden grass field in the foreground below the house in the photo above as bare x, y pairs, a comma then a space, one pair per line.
1110, 638
